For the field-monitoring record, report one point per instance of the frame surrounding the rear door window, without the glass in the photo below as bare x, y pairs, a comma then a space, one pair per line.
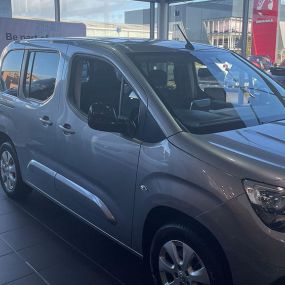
25, 69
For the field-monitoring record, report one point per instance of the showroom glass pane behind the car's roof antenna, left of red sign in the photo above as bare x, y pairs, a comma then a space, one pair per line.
218, 23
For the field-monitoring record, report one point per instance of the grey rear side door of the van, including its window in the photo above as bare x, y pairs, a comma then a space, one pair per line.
36, 113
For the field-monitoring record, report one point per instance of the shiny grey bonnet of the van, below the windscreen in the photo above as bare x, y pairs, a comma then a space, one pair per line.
256, 152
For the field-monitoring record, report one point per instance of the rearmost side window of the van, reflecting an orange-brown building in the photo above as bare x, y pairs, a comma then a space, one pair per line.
10, 72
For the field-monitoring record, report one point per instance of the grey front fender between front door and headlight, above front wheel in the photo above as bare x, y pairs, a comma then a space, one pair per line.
169, 177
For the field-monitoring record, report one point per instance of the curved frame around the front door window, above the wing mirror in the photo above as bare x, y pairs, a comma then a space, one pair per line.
81, 115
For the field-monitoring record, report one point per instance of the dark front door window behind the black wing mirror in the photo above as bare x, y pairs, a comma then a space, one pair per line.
97, 81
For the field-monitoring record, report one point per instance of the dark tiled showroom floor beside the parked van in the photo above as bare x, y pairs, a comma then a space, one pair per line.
40, 243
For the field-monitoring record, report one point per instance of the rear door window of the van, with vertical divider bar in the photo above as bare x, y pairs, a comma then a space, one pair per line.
41, 72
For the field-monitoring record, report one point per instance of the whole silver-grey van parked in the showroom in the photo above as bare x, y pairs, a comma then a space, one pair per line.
127, 136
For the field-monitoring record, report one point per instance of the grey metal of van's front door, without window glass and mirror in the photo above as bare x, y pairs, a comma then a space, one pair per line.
103, 152
